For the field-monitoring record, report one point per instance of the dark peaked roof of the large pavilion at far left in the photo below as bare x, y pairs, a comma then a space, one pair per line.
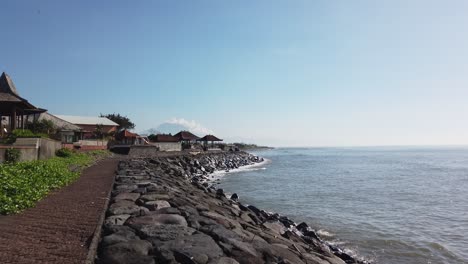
10, 98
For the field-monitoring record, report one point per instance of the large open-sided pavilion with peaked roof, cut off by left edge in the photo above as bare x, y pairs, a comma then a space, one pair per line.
14, 109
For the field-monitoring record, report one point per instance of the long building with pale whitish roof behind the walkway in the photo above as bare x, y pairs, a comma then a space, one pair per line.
90, 125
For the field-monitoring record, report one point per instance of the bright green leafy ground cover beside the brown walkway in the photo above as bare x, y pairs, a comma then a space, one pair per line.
23, 184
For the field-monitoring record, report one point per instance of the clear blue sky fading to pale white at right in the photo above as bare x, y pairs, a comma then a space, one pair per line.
271, 72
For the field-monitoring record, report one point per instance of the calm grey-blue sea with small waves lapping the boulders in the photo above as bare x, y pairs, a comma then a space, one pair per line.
385, 204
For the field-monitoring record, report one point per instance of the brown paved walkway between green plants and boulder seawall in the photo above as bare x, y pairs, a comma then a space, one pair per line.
60, 228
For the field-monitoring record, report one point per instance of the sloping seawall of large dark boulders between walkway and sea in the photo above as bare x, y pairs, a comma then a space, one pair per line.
164, 210
